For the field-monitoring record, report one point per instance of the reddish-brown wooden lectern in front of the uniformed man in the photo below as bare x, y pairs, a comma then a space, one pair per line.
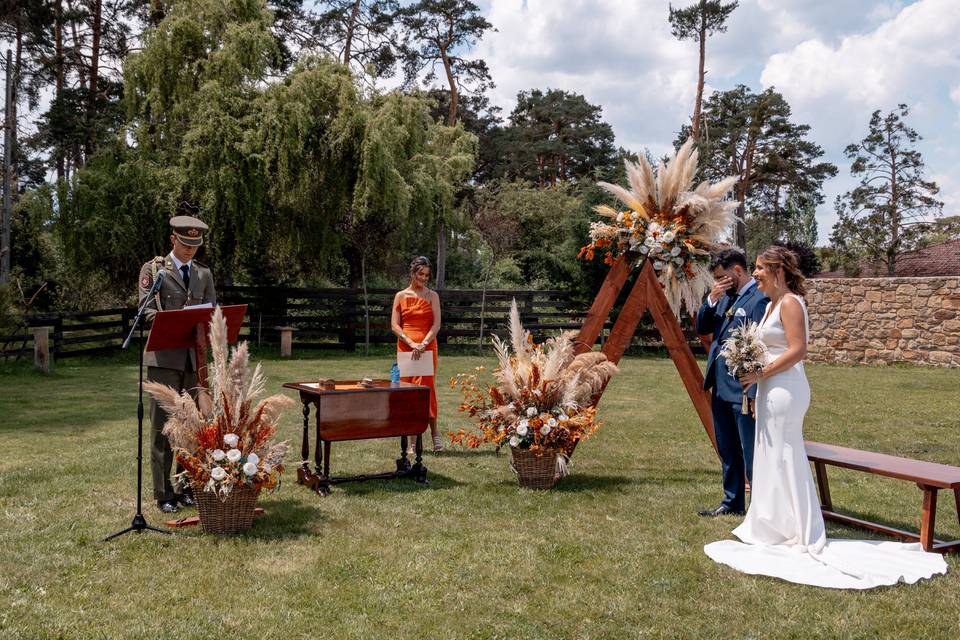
188, 329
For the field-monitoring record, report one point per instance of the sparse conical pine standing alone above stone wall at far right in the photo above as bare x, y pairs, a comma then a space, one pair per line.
891, 208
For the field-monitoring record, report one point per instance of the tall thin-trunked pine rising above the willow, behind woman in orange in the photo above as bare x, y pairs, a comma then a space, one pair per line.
437, 33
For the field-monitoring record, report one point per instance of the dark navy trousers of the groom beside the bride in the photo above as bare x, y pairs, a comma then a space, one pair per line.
734, 432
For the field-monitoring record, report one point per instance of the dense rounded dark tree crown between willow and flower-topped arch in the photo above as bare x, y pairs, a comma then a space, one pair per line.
555, 136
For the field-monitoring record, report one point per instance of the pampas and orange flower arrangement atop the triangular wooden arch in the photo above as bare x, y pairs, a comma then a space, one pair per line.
667, 223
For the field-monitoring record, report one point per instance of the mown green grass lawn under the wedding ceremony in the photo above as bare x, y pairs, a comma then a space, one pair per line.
613, 551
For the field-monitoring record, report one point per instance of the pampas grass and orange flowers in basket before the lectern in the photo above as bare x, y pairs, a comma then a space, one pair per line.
227, 443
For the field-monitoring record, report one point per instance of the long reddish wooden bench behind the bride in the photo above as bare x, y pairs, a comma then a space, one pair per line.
929, 476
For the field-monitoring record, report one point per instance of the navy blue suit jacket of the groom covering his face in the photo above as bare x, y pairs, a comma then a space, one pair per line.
717, 321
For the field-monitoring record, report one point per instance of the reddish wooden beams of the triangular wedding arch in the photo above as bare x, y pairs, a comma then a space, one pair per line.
647, 293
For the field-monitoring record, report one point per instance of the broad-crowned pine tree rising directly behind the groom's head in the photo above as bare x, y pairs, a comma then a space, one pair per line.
751, 135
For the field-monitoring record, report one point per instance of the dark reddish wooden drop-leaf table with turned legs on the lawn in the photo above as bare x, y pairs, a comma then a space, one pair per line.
347, 411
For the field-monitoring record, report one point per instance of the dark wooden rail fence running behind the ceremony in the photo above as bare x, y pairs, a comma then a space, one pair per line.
340, 319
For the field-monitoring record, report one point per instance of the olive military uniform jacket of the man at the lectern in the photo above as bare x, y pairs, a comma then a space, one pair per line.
175, 295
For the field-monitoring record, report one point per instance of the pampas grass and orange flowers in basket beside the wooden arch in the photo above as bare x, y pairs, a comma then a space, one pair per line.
541, 396
